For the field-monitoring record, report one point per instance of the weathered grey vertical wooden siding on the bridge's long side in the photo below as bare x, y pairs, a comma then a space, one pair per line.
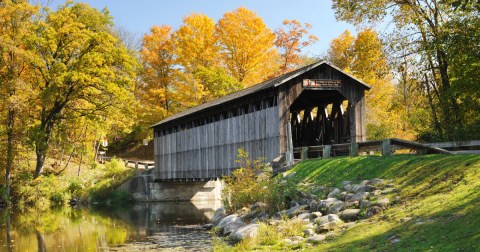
210, 150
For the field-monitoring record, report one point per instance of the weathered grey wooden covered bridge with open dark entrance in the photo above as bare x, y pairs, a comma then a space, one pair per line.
314, 105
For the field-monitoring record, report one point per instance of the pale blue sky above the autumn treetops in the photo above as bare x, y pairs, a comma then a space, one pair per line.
139, 16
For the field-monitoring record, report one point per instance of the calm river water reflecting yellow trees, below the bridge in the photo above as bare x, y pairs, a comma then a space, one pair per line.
141, 227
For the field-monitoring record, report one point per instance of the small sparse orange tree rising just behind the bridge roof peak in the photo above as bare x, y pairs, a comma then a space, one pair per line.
289, 40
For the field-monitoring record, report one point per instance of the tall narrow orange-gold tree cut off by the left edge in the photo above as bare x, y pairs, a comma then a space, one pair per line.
15, 56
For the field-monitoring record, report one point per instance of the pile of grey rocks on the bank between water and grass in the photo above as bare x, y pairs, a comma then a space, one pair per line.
322, 210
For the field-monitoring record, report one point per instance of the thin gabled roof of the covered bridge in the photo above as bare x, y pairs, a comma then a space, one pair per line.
274, 82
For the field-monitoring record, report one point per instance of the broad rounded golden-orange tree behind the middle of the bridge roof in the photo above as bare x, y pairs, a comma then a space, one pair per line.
247, 46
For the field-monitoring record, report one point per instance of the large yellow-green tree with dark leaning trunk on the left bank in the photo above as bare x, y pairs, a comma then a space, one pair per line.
82, 71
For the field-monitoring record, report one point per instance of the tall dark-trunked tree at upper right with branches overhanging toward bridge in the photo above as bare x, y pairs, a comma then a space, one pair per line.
426, 25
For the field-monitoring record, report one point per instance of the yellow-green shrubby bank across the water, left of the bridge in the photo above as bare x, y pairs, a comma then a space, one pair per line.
94, 184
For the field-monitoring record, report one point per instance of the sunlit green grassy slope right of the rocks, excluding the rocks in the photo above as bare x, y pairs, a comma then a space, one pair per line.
440, 193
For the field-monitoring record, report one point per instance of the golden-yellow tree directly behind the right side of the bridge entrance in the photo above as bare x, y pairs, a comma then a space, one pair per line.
363, 57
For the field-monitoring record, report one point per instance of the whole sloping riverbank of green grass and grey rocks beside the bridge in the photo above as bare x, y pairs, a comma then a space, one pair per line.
432, 204
